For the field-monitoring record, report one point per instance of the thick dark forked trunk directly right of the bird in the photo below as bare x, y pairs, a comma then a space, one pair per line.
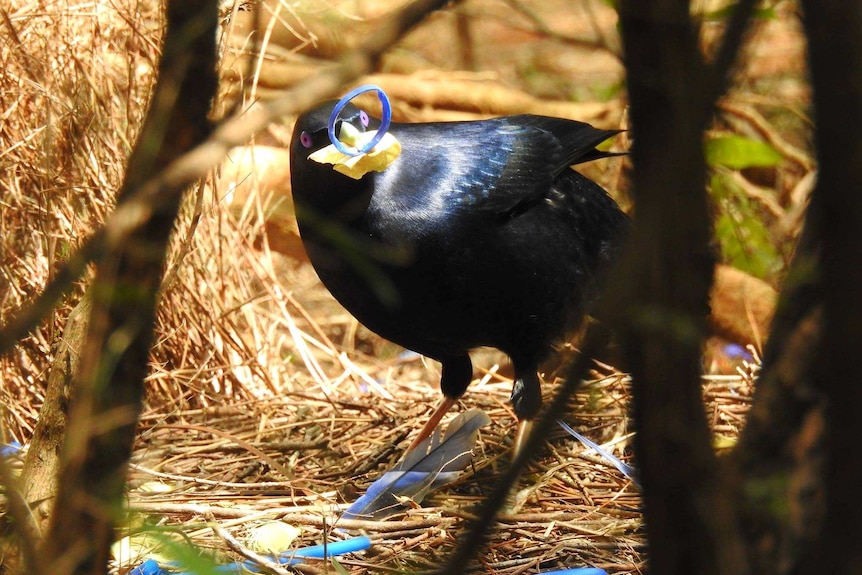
689, 512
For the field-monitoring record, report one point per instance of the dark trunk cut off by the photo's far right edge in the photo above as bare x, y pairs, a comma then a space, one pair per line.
835, 54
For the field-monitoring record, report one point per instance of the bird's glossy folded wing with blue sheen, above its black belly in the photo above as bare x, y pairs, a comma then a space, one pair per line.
498, 166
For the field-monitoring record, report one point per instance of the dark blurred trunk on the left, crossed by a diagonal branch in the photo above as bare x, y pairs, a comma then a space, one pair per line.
108, 389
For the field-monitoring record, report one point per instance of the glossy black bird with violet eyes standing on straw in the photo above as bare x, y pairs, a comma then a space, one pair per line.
478, 234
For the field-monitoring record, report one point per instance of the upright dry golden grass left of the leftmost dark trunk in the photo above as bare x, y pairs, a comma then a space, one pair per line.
76, 79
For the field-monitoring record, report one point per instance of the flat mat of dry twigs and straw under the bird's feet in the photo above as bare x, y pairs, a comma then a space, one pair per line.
572, 511
